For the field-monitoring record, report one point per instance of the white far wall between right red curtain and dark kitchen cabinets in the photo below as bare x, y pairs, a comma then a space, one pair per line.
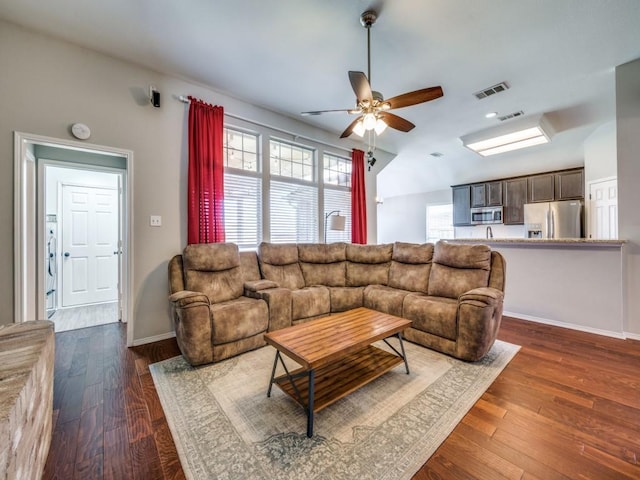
404, 218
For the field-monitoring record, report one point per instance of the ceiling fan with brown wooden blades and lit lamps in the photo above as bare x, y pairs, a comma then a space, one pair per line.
372, 108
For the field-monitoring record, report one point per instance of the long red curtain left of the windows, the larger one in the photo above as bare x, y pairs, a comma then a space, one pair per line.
205, 215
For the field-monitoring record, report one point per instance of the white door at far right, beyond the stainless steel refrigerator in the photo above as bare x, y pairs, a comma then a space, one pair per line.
603, 217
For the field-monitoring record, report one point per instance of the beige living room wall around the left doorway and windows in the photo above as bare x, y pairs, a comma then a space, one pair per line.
109, 96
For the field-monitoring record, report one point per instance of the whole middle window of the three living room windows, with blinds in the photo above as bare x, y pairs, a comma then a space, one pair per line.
293, 194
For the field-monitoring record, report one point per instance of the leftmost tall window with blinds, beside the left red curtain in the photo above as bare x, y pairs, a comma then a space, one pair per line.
242, 189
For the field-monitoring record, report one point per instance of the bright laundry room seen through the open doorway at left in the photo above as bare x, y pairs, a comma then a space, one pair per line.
81, 207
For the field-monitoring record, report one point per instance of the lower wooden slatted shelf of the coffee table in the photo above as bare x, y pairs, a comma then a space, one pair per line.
341, 378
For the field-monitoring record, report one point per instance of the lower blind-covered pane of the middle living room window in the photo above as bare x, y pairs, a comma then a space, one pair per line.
294, 213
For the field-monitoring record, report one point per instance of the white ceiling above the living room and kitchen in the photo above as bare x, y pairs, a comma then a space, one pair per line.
558, 57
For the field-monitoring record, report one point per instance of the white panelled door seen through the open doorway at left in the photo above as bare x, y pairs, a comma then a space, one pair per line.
89, 245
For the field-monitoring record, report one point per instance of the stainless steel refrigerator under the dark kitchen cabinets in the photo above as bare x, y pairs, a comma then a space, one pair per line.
553, 219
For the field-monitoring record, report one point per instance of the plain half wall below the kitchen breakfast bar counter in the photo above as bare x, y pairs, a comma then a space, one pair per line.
578, 287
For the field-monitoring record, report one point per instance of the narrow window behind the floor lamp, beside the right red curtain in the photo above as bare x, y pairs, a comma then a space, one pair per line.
337, 195
